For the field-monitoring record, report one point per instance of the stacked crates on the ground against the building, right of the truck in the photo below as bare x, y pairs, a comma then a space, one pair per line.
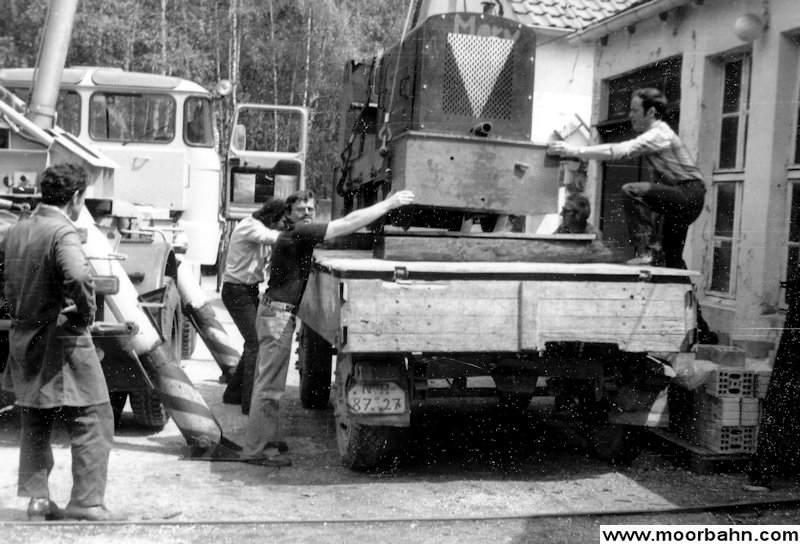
727, 408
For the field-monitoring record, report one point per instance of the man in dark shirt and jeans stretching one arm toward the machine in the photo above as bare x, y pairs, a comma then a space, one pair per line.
290, 268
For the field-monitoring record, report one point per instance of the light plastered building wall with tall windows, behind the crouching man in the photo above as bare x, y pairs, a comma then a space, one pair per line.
701, 32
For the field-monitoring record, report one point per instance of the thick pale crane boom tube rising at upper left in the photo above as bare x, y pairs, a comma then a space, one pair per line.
47, 80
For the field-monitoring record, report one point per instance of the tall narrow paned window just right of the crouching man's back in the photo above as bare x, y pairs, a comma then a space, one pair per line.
729, 173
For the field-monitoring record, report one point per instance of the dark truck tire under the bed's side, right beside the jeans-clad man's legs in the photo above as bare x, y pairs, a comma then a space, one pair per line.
314, 355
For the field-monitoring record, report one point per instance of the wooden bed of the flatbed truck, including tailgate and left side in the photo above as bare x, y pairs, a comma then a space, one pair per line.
365, 305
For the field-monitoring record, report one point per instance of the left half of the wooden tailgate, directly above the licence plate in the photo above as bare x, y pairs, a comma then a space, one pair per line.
431, 316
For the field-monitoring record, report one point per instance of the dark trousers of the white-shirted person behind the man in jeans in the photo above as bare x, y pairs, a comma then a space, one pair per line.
241, 301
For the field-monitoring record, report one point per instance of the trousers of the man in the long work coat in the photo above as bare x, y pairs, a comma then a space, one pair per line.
91, 431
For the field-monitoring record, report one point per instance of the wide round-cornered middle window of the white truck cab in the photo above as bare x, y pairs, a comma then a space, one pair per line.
137, 117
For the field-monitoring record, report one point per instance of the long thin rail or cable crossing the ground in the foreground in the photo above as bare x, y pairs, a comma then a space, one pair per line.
719, 507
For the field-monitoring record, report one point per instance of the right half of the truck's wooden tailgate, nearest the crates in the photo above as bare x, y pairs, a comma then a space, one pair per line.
634, 316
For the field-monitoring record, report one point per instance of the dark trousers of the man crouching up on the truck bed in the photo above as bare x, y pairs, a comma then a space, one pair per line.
679, 206
